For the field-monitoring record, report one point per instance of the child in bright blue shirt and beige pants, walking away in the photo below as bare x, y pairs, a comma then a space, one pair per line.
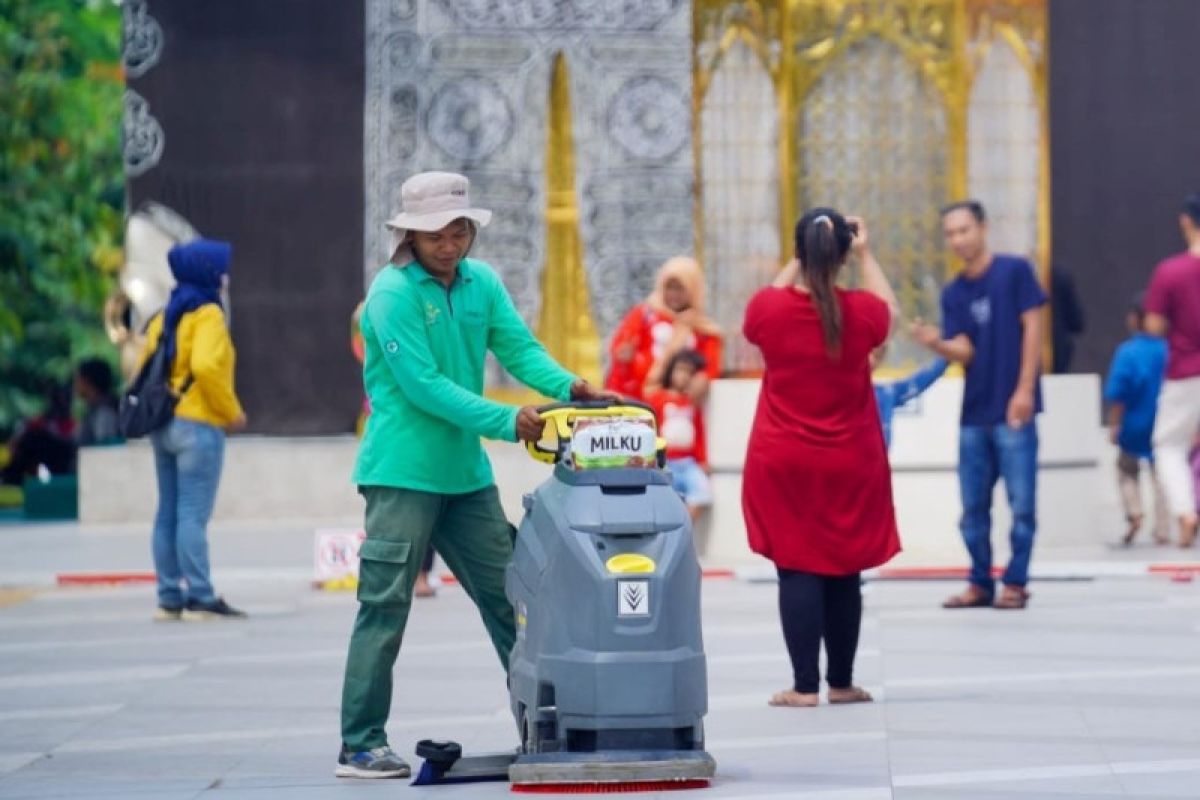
1136, 378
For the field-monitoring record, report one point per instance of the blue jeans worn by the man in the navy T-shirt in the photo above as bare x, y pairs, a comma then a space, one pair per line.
987, 454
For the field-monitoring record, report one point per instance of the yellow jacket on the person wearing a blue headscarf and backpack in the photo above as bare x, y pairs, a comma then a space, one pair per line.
205, 351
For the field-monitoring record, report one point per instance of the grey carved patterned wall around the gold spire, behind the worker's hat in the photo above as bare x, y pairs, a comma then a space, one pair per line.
465, 86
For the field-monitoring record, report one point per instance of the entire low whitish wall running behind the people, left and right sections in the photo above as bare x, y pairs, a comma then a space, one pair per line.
308, 479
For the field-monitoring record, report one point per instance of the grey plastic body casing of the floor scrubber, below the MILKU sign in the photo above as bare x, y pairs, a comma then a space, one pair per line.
586, 678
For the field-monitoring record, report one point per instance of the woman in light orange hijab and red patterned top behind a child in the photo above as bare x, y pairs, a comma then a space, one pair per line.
673, 320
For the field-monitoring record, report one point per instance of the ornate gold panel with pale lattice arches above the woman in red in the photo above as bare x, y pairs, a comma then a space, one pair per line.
877, 99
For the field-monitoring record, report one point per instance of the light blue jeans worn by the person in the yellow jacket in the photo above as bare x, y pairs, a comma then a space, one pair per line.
188, 458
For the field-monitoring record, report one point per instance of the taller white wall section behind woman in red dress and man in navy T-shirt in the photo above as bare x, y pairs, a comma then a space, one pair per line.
1076, 485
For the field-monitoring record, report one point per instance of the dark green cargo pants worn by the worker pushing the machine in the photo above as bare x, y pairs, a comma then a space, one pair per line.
471, 533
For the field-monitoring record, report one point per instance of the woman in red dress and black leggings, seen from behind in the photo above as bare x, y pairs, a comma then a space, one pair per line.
818, 489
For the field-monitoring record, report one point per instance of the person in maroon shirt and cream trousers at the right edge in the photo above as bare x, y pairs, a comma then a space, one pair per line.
1173, 311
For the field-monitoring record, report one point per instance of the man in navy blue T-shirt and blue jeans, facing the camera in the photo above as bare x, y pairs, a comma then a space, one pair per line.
992, 324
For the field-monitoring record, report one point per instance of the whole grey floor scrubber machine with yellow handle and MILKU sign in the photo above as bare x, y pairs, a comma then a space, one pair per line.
608, 678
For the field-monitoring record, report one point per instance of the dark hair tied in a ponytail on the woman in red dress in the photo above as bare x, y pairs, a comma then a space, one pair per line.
823, 240
